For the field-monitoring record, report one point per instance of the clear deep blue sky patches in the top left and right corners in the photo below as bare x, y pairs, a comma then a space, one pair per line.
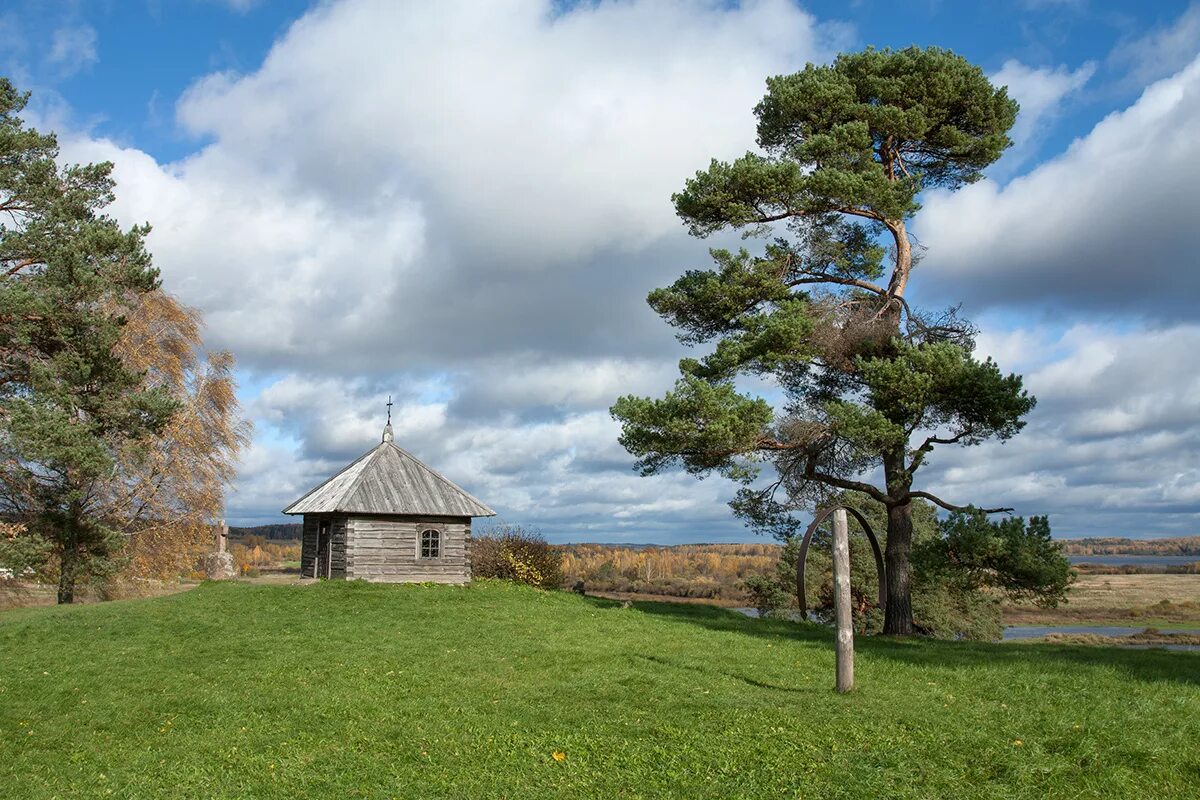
148, 53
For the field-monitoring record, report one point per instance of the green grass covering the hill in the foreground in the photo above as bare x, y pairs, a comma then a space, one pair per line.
346, 690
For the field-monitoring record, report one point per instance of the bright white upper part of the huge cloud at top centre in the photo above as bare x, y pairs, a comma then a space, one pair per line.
544, 136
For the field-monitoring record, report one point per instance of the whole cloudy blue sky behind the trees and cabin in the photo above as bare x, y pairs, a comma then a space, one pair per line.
465, 206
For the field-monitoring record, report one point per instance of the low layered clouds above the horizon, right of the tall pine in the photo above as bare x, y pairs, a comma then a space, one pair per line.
1111, 448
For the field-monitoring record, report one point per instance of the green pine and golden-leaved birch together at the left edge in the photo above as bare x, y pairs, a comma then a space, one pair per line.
119, 432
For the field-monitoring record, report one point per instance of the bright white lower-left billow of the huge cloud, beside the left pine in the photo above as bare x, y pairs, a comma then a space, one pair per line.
283, 275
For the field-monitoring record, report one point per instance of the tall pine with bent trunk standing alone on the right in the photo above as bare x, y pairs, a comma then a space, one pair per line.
869, 382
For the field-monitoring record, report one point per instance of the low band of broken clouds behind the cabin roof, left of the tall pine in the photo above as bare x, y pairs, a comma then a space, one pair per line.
565, 473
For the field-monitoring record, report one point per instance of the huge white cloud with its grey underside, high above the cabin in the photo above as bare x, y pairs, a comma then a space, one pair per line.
404, 183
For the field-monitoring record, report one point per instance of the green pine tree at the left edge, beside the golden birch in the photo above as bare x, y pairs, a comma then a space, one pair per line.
68, 401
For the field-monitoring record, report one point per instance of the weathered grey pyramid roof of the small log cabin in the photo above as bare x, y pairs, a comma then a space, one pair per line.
389, 480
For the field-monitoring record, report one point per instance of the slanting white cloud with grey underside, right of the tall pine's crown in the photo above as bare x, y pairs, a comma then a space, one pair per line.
1106, 227
